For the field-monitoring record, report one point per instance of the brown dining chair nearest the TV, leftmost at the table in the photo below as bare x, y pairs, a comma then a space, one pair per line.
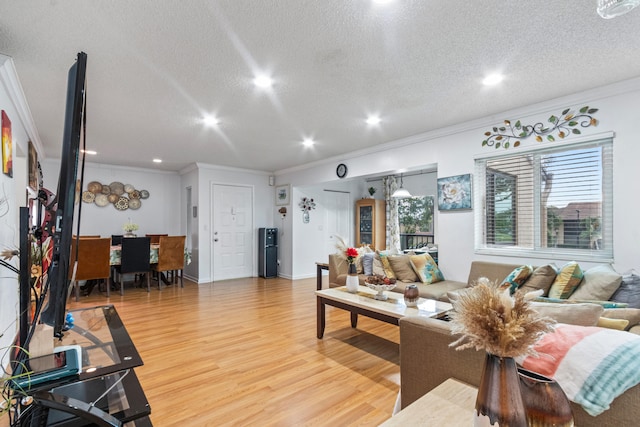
93, 261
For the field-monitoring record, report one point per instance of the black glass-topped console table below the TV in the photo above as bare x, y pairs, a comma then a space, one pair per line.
107, 377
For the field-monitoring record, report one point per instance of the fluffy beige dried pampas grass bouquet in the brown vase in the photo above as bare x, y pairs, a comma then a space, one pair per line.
489, 319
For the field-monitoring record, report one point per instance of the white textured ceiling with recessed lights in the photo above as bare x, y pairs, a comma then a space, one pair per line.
155, 66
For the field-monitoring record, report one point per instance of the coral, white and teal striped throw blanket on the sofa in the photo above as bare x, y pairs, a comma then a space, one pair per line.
592, 365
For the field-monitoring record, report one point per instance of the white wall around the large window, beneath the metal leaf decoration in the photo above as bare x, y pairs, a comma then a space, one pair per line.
453, 149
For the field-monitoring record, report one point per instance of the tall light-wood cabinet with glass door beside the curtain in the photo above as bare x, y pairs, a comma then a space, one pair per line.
371, 223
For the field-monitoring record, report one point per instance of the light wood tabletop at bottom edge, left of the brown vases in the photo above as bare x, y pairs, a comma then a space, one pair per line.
452, 403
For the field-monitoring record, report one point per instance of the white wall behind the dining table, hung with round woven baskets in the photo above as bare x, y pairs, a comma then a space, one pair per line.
160, 213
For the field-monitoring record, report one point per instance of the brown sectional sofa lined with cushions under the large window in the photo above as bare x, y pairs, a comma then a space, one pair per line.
426, 360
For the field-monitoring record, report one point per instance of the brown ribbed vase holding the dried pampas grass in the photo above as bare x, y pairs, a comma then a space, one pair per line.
499, 402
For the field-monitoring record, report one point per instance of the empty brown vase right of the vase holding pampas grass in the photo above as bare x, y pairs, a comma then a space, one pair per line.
545, 402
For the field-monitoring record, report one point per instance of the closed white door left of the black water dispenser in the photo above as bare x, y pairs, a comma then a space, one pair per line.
233, 237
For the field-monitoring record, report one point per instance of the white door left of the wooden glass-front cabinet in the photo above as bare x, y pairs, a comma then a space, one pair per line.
338, 219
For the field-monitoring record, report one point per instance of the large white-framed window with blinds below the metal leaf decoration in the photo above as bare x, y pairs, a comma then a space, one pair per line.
551, 202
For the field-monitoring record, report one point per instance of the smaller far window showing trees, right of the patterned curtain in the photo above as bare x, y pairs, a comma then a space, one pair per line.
415, 217
